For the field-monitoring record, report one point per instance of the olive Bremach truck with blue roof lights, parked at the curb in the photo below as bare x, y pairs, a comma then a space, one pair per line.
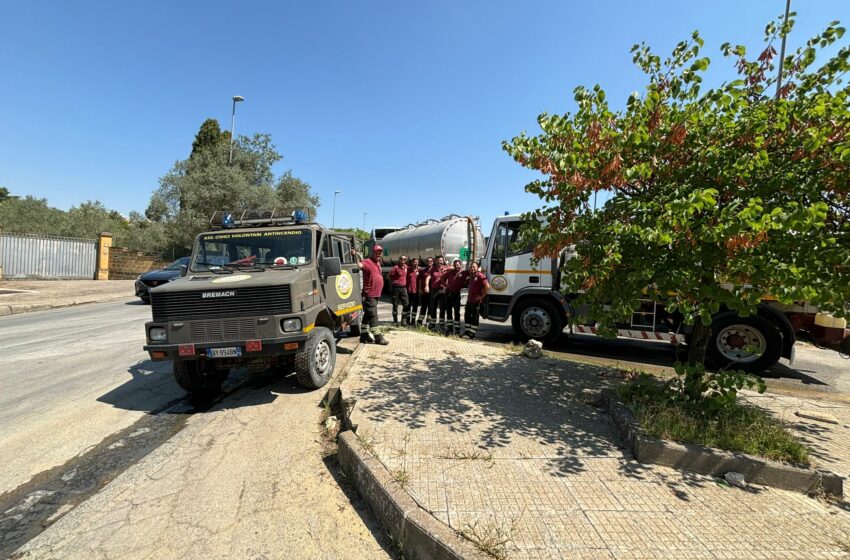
262, 290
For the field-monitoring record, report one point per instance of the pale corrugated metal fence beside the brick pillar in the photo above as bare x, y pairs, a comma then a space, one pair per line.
33, 256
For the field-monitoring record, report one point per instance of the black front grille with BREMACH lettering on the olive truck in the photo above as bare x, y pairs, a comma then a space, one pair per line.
181, 306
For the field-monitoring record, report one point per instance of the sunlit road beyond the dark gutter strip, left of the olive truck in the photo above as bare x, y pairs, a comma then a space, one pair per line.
70, 378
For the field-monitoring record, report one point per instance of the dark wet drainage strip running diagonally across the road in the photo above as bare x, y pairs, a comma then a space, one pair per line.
31, 508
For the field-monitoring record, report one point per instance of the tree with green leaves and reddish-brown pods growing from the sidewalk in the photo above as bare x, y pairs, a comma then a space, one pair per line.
715, 197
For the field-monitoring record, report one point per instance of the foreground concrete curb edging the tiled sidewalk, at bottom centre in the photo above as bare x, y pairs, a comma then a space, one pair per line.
419, 534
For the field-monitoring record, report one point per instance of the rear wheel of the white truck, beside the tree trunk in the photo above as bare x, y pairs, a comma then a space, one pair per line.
731, 334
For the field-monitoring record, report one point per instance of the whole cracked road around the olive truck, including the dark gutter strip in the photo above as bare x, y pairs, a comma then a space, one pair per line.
101, 446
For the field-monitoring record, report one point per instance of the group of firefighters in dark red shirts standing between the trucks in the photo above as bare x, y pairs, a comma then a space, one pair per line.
429, 295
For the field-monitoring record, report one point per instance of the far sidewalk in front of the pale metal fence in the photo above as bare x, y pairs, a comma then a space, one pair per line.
24, 296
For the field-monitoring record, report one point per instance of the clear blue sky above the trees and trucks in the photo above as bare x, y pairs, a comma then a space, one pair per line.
401, 106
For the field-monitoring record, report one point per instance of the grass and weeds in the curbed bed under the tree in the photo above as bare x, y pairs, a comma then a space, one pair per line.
738, 427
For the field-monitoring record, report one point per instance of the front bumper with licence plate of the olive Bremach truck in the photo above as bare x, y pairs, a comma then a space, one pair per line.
281, 346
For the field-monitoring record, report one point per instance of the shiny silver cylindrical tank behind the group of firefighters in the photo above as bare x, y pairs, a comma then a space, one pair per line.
453, 237
